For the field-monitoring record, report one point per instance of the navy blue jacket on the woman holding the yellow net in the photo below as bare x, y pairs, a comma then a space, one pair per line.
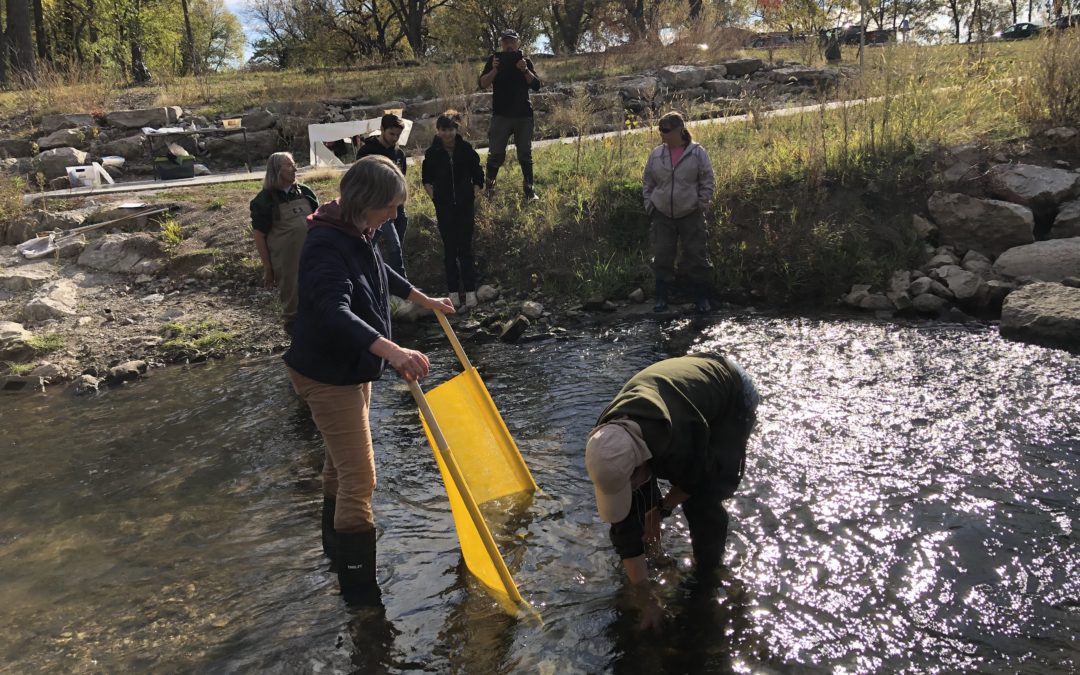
345, 303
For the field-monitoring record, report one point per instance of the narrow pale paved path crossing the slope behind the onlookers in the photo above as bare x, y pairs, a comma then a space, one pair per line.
143, 186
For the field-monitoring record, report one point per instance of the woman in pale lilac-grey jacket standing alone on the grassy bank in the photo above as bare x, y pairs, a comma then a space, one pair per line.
679, 186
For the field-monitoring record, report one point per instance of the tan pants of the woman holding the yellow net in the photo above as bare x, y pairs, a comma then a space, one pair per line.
341, 413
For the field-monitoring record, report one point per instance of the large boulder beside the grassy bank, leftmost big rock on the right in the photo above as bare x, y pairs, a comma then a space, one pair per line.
989, 226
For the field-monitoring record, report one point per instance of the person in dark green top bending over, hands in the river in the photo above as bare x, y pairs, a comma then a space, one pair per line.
686, 421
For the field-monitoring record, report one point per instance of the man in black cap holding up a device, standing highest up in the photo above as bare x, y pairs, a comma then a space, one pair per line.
511, 76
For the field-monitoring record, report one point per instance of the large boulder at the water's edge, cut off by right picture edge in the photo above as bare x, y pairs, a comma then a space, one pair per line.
1044, 313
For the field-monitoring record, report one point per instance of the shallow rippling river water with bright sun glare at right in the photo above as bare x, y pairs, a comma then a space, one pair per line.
912, 503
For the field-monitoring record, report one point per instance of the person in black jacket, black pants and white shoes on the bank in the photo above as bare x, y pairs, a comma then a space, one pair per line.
453, 179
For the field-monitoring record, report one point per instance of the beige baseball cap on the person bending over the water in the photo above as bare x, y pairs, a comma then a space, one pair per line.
613, 452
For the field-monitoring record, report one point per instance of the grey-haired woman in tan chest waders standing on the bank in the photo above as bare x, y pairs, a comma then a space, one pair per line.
279, 225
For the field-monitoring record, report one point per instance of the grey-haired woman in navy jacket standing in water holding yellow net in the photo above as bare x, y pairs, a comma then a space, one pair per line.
342, 342
